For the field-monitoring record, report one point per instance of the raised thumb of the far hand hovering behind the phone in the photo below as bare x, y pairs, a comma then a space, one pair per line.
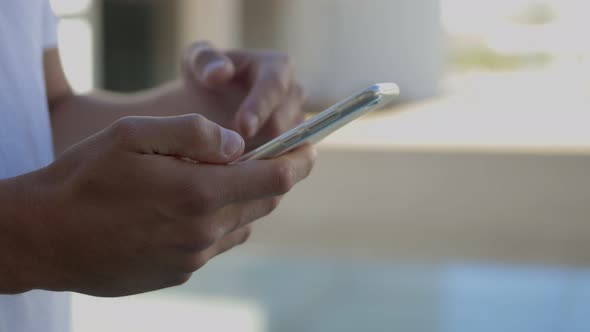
207, 65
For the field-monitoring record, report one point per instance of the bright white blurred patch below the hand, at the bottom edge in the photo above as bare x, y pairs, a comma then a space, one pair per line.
164, 313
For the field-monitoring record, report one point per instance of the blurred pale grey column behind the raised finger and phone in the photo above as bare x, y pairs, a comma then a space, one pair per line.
342, 45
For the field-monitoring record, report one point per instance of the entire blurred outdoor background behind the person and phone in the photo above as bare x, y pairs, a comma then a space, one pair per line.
463, 207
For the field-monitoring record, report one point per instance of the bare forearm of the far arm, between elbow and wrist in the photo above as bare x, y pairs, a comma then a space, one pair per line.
77, 117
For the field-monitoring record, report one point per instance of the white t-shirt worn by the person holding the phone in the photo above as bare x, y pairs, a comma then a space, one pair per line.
27, 27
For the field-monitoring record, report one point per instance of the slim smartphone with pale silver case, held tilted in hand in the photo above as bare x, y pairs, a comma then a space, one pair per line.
327, 122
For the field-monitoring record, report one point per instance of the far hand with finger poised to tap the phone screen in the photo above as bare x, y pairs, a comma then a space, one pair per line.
252, 92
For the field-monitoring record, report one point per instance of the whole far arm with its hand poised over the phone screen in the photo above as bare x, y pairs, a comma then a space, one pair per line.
251, 92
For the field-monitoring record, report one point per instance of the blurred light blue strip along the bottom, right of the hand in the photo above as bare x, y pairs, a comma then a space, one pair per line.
322, 295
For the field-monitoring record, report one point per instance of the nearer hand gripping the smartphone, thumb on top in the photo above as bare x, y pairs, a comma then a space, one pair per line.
145, 203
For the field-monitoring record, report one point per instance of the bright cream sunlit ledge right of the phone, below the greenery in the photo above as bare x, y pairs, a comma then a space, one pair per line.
545, 110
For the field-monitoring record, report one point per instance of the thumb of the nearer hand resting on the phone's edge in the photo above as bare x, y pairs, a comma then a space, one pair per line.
189, 136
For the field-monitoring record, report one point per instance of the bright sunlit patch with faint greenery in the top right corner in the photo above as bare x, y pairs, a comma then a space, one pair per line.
520, 27
